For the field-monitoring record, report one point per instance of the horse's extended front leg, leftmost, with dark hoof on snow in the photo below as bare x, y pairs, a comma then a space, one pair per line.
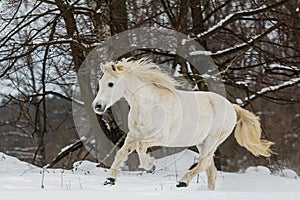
120, 158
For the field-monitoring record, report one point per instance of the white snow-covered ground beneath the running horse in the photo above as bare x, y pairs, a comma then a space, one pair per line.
20, 180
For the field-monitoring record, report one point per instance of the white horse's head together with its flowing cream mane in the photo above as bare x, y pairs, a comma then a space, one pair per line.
133, 76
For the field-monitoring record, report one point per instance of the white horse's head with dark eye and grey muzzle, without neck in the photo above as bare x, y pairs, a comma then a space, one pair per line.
111, 87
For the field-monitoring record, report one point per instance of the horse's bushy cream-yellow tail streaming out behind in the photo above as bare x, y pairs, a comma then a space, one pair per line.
248, 133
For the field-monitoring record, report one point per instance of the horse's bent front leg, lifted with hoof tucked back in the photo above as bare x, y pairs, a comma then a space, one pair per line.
146, 161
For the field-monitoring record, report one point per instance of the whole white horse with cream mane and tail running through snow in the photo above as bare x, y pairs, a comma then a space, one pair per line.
161, 115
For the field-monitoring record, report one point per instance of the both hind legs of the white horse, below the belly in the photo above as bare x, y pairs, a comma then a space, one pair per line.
204, 163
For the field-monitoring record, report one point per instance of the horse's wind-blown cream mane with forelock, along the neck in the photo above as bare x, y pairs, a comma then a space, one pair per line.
144, 70
